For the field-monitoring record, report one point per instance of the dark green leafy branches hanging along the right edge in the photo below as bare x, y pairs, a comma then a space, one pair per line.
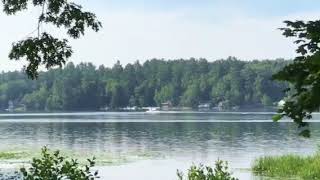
303, 74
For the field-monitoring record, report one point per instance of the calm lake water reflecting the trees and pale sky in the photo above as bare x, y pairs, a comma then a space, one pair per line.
171, 140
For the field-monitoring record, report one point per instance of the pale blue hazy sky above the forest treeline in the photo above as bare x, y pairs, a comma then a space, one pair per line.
171, 29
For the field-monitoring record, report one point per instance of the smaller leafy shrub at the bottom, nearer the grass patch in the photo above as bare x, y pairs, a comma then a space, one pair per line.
220, 172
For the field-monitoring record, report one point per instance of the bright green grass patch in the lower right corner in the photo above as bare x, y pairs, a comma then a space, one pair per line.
289, 167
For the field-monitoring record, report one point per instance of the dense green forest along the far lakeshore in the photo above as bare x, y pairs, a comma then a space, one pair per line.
182, 82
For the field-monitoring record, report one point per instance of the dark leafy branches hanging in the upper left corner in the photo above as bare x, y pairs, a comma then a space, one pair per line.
45, 49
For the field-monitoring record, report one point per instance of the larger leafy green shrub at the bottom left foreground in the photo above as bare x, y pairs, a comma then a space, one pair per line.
53, 166
